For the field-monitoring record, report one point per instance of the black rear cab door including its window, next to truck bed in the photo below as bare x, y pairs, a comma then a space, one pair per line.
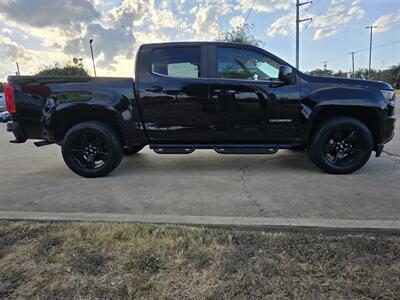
173, 90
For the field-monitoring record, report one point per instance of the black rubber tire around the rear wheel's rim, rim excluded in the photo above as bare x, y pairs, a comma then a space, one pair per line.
110, 138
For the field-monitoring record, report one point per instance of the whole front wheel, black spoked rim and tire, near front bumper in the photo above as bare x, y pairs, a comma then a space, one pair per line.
341, 145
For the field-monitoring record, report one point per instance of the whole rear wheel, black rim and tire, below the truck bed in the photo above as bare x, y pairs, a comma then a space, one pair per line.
92, 149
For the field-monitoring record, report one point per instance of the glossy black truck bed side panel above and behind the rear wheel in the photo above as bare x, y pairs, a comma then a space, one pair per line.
33, 93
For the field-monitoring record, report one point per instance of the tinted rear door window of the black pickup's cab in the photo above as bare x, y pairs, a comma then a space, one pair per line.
177, 61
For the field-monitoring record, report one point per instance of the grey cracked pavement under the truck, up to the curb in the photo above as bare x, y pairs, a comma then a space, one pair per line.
284, 185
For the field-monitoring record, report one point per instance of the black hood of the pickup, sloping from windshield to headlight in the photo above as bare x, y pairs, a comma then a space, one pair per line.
377, 85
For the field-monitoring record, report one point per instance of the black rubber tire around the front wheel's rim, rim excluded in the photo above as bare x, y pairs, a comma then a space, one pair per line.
316, 149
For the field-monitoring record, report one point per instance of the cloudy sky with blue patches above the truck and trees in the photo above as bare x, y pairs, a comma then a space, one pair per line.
40, 32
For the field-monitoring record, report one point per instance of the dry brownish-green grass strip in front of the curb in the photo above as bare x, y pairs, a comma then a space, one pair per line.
119, 261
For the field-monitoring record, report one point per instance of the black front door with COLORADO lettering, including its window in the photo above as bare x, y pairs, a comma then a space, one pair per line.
248, 103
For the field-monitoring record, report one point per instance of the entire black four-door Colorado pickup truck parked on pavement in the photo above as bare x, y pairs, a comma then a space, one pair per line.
229, 97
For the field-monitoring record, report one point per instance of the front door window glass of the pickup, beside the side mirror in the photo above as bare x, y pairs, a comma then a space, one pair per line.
246, 64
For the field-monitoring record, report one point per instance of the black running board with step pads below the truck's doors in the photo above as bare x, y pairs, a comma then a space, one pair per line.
219, 148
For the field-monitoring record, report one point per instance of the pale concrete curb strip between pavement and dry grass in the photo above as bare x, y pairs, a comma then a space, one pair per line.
256, 223
